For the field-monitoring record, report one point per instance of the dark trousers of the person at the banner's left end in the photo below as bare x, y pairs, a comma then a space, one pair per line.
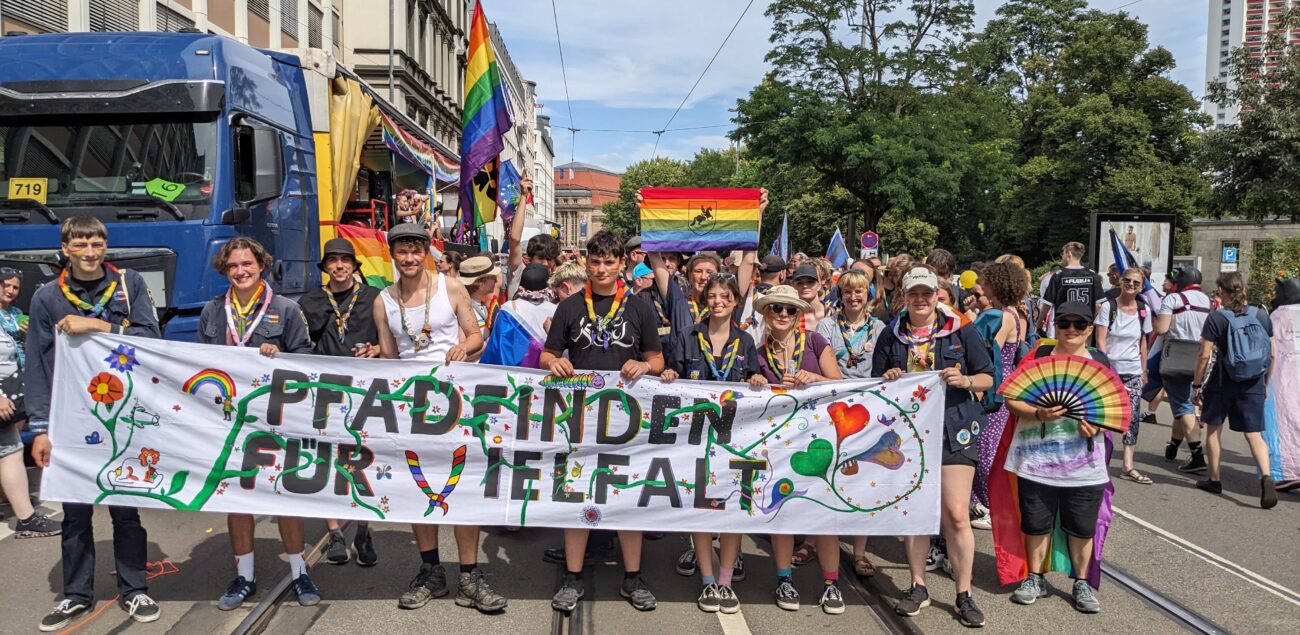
131, 546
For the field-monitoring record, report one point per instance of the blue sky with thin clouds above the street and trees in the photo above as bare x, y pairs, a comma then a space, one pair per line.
630, 63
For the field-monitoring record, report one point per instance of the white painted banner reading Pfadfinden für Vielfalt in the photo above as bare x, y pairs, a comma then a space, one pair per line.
213, 429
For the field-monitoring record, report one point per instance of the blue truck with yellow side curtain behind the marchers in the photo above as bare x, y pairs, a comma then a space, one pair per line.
179, 142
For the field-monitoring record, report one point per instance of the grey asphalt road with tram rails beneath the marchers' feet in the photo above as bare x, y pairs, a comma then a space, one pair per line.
1220, 556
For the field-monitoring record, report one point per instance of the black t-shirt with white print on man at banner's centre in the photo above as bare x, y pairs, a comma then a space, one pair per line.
631, 336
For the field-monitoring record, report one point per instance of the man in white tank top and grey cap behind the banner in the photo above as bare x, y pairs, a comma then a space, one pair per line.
427, 317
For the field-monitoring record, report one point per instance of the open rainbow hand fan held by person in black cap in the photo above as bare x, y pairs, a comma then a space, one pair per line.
1090, 391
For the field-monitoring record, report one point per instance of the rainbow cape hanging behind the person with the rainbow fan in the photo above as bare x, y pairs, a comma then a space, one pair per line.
1006, 512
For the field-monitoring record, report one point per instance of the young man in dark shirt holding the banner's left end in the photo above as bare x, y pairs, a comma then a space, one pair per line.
92, 297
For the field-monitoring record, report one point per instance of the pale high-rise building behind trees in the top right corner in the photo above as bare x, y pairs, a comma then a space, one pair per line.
1240, 24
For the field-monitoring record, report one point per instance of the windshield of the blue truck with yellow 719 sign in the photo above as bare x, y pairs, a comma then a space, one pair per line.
107, 165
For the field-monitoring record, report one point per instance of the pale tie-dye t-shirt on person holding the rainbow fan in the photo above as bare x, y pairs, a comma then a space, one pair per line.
1054, 453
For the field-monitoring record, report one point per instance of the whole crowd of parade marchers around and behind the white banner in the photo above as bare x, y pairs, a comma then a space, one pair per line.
734, 318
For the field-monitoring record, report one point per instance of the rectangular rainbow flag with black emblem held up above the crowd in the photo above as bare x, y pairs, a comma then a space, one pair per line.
700, 219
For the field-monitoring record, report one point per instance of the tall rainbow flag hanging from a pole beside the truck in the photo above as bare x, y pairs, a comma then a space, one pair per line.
486, 120
